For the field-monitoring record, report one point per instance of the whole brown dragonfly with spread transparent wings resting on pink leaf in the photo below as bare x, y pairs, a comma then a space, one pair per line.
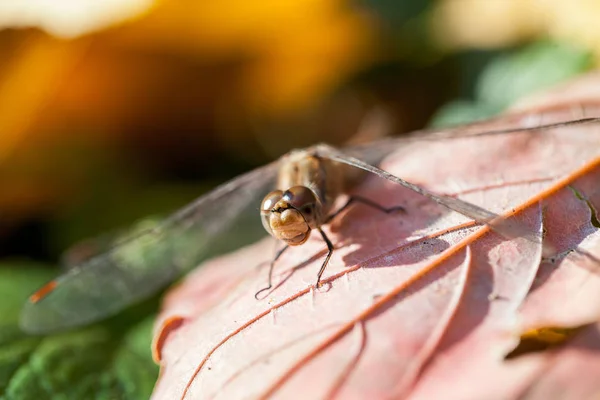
310, 180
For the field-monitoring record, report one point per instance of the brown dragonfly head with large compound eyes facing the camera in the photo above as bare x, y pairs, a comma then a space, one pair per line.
290, 215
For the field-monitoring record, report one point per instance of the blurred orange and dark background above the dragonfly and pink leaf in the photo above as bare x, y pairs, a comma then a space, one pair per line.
113, 110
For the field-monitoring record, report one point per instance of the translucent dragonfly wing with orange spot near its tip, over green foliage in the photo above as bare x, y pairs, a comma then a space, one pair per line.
147, 260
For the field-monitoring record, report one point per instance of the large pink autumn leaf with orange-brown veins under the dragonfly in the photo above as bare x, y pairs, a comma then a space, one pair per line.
417, 305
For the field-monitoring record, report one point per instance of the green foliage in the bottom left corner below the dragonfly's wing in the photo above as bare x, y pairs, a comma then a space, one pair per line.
111, 360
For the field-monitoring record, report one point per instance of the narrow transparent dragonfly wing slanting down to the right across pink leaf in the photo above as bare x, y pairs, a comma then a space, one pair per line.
505, 227
